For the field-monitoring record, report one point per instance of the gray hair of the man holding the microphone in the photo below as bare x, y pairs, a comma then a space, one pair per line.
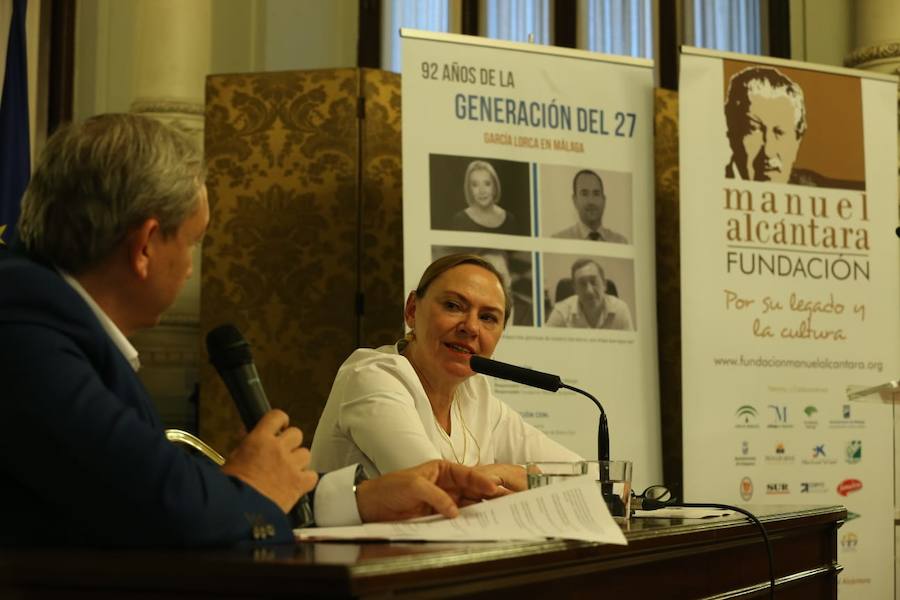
98, 180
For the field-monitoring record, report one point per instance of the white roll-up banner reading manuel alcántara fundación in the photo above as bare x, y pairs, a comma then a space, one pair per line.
789, 290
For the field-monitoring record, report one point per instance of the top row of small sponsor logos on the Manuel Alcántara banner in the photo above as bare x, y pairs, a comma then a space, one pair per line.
782, 416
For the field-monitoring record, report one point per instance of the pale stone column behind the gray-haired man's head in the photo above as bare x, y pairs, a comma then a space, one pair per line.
172, 59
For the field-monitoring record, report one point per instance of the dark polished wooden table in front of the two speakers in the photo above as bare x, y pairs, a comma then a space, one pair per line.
665, 559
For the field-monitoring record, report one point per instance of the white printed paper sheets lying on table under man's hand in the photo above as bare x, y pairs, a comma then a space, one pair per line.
573, 509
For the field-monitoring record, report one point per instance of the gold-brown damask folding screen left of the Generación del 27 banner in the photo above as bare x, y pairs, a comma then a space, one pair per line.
304, 249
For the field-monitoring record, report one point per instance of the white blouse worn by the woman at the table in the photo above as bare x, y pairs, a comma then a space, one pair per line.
379, 415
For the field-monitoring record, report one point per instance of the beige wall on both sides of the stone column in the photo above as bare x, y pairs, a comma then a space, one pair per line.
247, 35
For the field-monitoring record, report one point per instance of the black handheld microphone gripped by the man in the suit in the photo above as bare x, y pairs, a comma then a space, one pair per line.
230, 354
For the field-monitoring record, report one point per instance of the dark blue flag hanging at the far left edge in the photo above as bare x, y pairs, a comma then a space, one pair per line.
15, 163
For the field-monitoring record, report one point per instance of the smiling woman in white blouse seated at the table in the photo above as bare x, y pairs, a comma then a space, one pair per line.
396, 406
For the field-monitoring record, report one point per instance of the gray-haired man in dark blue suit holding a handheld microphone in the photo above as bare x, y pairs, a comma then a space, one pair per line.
108, 223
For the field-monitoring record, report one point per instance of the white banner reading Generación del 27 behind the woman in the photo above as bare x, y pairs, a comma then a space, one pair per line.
541, 160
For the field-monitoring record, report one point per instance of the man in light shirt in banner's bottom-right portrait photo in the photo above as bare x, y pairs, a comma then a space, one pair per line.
590, 307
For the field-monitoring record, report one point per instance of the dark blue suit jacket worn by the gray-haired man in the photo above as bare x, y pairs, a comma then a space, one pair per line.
83, 455
